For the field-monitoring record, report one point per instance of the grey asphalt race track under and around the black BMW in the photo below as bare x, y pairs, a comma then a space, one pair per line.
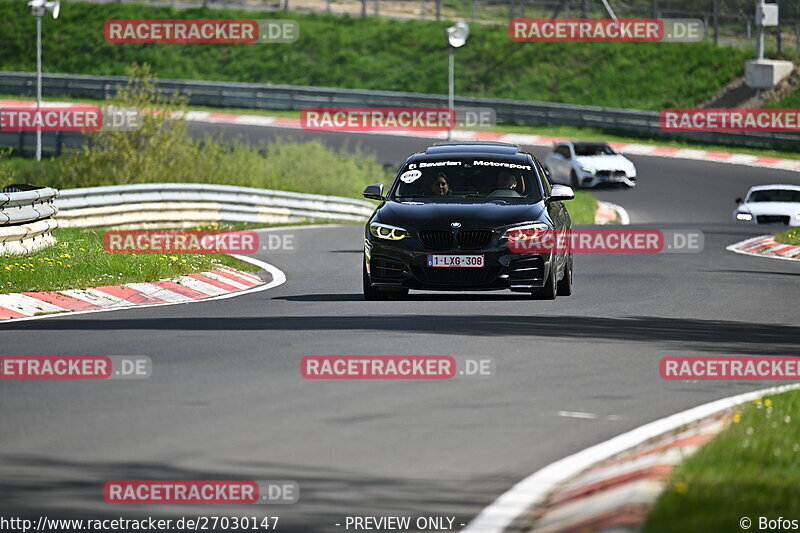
226, 399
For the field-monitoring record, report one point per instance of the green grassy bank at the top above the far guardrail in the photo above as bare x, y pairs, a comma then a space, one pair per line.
370, 53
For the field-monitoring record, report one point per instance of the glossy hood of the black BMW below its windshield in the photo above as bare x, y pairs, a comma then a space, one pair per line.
417, 215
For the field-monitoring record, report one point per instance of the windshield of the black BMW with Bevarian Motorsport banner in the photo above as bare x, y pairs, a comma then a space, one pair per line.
444, 180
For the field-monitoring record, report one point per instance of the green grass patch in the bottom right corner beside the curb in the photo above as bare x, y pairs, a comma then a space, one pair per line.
751, 469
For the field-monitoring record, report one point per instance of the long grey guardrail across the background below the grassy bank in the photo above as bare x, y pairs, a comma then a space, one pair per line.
289, 97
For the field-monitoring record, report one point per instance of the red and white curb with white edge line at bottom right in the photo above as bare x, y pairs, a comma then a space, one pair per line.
541, 499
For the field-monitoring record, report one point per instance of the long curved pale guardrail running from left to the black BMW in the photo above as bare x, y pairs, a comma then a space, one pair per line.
189, 204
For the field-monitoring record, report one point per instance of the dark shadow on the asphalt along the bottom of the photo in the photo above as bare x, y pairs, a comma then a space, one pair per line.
33, 486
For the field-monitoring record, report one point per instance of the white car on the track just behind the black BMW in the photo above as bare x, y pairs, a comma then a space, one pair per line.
587, 164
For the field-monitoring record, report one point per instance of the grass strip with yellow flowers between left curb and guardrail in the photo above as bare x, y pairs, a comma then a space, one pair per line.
79, 261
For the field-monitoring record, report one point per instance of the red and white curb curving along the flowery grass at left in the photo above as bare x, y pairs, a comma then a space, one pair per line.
222, 282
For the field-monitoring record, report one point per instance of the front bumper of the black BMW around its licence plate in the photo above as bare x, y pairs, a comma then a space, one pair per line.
404, 266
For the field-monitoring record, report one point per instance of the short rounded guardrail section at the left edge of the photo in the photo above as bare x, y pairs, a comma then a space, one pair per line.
26, 222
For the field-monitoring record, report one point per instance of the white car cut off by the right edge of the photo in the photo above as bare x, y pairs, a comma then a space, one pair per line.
770, 204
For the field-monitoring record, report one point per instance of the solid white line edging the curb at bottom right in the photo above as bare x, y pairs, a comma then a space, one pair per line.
532, 490
